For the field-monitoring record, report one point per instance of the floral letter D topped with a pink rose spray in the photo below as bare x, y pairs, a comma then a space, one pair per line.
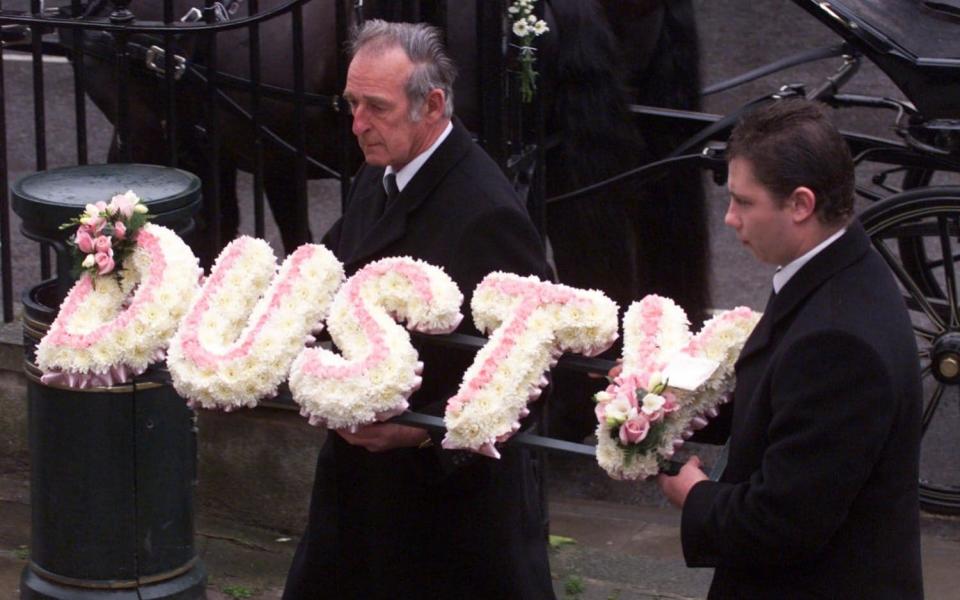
115, 322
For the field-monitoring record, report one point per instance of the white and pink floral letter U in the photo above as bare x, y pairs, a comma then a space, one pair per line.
236, 344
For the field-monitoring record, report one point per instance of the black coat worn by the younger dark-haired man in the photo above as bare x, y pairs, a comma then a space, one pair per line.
819, 498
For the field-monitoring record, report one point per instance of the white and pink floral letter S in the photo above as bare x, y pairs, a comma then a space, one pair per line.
379, 368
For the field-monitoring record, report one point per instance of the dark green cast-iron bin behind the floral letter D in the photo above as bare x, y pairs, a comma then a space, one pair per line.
113, 470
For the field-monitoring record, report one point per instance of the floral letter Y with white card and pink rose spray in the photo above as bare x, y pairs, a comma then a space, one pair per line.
647, 411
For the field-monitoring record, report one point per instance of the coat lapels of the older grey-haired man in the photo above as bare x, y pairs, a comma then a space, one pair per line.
379, 233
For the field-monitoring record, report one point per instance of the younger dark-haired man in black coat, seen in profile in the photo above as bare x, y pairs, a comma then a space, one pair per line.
819, 497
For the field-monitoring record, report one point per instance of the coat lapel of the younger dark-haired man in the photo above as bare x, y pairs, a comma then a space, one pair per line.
849, 248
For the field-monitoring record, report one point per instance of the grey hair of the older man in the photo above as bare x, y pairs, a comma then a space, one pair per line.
423, 44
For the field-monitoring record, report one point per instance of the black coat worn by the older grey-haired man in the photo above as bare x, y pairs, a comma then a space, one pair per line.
410, 523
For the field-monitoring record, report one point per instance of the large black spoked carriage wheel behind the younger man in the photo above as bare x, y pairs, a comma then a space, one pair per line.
917, 233
